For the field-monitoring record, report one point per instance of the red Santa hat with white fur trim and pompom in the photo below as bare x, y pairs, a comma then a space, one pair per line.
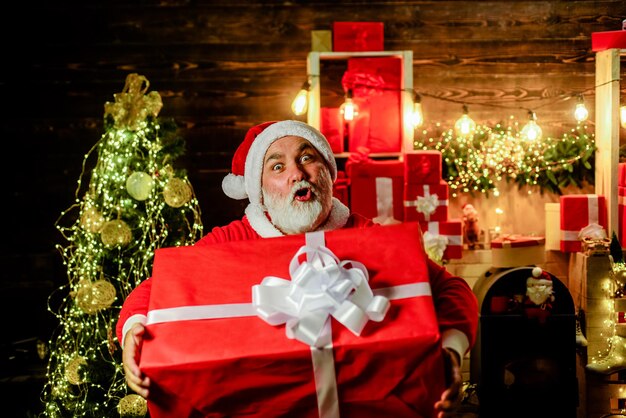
244, 181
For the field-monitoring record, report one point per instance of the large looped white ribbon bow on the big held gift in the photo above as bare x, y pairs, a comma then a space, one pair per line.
319, 288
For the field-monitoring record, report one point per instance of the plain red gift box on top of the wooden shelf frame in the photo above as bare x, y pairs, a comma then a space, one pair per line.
358, 36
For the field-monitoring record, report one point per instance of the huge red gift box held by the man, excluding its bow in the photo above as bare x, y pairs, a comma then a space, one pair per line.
205, 349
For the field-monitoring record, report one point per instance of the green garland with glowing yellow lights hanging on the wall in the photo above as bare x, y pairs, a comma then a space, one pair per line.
477, 162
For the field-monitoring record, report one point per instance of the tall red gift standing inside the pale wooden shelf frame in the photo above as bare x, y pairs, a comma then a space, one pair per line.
376, 87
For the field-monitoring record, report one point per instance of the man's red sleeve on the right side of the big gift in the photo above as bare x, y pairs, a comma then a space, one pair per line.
455, 302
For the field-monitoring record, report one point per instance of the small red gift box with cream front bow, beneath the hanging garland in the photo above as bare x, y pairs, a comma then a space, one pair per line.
426, 202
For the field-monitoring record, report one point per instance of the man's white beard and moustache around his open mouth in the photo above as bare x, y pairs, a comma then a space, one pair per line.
294, 217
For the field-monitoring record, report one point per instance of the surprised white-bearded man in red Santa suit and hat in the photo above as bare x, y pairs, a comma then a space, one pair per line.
286, 170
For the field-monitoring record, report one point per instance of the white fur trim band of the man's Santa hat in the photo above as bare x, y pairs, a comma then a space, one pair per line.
256, 154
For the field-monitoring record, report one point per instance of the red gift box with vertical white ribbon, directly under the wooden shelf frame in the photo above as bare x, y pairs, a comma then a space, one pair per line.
376, 189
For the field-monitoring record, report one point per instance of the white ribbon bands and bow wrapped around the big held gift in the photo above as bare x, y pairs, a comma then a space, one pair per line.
322, 285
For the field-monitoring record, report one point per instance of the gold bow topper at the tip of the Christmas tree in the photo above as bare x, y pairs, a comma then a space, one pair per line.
132, 105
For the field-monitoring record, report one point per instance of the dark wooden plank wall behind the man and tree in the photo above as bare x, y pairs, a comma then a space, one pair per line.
222, 66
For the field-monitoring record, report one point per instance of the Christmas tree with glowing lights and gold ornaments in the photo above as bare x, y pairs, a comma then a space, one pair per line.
135, 202
